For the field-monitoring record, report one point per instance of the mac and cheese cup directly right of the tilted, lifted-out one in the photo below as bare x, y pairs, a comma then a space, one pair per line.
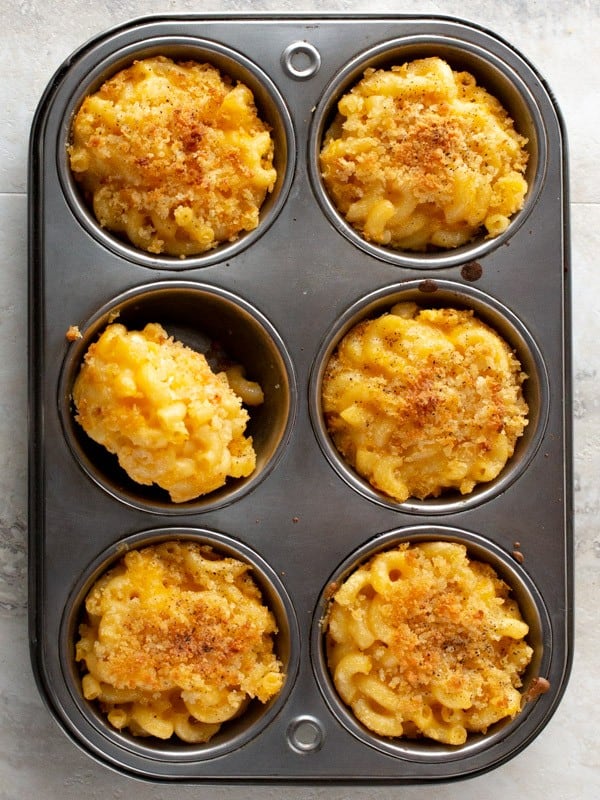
423, 401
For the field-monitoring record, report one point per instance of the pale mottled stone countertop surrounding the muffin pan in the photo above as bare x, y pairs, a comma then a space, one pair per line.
561, 38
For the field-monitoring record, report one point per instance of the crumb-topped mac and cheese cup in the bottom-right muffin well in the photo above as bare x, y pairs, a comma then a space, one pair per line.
423, 641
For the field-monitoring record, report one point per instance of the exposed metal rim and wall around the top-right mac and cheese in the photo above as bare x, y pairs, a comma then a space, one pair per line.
495, 74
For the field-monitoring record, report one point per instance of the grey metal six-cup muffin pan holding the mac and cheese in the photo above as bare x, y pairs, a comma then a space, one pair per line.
278, 300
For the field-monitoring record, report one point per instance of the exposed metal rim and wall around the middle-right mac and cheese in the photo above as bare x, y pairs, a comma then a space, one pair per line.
488, 310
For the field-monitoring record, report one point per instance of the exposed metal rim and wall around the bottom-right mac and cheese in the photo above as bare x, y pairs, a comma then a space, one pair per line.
522, 590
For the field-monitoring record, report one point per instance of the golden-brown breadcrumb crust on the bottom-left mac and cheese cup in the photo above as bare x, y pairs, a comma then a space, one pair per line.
184, 634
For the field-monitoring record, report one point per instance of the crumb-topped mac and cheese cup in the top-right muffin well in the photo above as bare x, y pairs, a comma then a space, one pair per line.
419, 156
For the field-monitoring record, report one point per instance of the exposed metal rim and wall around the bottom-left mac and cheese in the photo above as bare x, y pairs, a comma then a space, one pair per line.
232, 734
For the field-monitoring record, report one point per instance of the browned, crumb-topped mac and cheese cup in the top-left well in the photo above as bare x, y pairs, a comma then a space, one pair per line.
173, 156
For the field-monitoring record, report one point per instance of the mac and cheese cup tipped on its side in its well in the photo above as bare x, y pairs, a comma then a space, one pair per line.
158, 406
